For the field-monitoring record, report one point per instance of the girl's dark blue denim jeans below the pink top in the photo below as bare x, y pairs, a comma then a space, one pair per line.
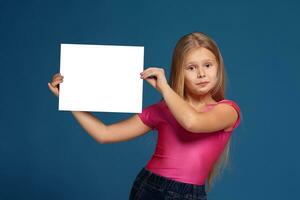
148, 185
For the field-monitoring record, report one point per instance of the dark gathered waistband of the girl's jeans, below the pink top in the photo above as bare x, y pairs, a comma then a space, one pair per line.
169, 184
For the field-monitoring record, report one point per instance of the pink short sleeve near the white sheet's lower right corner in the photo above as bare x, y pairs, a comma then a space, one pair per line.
148, 116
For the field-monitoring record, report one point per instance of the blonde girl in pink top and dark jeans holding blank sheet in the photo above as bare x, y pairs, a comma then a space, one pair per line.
193, 119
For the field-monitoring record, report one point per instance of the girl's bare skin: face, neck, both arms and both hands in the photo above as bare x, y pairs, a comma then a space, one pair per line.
184, 110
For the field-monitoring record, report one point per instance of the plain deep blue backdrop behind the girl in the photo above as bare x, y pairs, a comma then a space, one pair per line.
45, 154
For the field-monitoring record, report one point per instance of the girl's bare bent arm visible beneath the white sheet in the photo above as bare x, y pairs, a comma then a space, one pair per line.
117, 132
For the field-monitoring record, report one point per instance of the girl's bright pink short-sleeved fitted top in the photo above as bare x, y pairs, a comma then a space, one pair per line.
179, 154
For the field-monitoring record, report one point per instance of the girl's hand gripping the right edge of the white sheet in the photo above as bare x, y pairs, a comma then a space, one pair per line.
155, 76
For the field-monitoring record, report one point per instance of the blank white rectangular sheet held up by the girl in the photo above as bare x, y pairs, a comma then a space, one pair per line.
101, 78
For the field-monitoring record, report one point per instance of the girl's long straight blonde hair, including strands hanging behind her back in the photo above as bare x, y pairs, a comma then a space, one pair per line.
176, 82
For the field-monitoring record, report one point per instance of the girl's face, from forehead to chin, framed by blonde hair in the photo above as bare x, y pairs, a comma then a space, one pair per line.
200, 65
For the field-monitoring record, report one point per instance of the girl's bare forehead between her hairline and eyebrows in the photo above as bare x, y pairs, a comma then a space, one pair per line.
200, 54
